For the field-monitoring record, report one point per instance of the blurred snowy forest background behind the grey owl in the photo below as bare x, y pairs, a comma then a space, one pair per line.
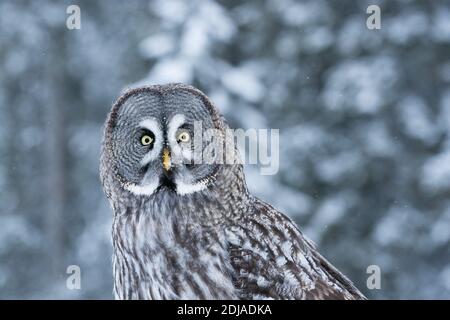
364, 118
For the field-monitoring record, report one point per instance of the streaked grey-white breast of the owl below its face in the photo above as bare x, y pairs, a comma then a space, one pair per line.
172, 254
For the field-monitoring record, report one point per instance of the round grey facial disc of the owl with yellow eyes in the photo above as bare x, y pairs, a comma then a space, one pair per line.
151, 139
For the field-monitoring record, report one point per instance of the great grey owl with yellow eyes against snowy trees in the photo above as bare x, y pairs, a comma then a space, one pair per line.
184, 229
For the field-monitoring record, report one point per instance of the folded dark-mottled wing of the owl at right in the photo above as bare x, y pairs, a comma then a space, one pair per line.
271, 259
